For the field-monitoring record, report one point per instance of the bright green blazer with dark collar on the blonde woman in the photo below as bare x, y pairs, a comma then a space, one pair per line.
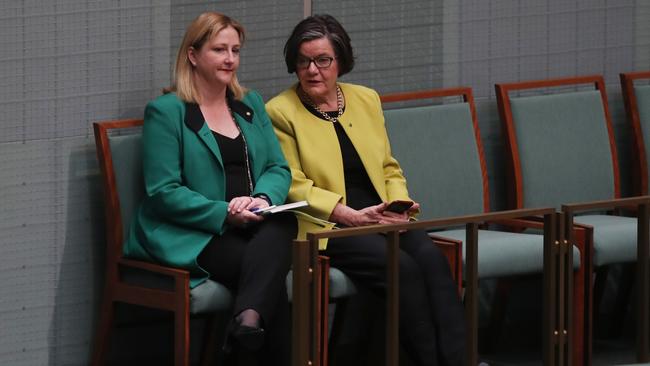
184, 204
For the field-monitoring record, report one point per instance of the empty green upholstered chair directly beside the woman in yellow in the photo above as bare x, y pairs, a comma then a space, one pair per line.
438, 146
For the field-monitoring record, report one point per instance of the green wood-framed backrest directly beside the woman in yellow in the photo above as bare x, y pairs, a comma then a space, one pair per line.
439, 148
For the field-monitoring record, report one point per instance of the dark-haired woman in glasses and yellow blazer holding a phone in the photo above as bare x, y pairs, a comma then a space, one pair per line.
334, 139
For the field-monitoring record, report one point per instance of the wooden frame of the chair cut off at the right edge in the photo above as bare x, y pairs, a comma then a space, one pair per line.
639, 156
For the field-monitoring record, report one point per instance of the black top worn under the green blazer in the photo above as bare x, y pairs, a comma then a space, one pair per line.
234, 163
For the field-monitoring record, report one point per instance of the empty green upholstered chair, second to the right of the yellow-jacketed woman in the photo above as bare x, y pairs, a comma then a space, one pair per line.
561, 150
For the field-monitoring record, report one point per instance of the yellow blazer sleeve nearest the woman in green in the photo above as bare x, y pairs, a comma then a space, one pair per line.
321, 201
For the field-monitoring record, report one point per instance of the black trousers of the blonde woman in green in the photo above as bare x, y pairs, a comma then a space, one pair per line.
253, 262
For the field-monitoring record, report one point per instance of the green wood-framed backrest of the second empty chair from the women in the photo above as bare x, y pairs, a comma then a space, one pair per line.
560, 144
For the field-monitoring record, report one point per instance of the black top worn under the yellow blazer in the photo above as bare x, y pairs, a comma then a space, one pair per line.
360, 192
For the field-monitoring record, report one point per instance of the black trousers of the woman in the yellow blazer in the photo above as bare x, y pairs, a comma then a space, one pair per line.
432, 324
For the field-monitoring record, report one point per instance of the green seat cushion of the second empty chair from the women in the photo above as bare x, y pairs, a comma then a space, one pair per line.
614, 238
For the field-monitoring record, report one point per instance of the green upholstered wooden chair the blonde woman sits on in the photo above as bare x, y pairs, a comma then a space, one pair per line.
137, 282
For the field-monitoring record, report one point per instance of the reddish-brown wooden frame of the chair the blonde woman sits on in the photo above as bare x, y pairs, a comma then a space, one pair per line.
116, 289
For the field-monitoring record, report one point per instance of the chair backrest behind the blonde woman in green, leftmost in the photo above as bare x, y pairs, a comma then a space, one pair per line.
120, 159
